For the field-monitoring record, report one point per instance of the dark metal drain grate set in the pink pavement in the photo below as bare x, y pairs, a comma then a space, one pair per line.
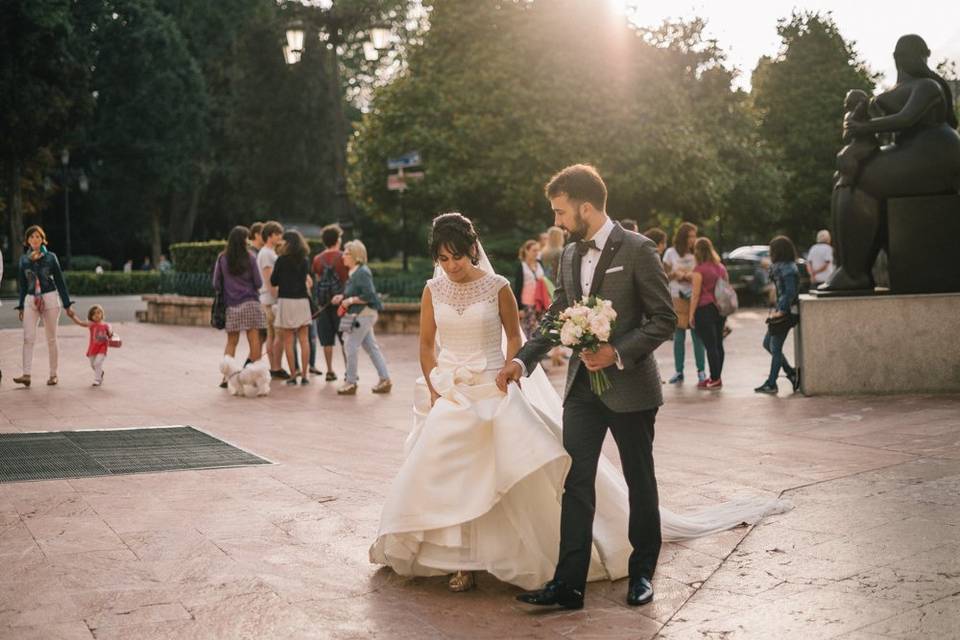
82, 454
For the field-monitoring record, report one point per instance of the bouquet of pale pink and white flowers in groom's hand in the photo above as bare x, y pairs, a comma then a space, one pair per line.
583, 327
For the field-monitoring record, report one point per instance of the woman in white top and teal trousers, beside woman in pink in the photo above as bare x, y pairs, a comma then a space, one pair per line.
679, 262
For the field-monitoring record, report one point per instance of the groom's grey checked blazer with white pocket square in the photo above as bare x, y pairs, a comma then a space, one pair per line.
629, 274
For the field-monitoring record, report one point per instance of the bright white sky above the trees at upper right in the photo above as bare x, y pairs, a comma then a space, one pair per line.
746, 29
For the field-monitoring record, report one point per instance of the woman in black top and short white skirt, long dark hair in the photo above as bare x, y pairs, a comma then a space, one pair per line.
291, 281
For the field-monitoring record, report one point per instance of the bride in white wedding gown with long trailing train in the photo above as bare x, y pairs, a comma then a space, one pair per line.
480, 486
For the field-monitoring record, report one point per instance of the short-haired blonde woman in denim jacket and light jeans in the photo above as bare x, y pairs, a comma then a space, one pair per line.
360, 303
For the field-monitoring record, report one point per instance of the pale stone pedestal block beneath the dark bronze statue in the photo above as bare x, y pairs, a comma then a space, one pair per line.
879, 344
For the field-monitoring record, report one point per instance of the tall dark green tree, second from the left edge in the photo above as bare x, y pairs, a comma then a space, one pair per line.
150, 121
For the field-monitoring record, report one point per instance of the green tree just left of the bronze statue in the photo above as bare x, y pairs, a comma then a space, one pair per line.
799, 95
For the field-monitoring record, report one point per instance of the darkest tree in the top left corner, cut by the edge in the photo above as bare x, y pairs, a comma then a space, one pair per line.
44, 72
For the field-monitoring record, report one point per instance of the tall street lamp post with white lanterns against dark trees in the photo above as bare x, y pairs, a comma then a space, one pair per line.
330, 31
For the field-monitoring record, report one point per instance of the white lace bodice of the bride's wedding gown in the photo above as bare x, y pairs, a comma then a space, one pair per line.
468, 319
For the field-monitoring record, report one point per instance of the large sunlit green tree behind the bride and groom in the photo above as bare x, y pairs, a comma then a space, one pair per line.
500, 95
